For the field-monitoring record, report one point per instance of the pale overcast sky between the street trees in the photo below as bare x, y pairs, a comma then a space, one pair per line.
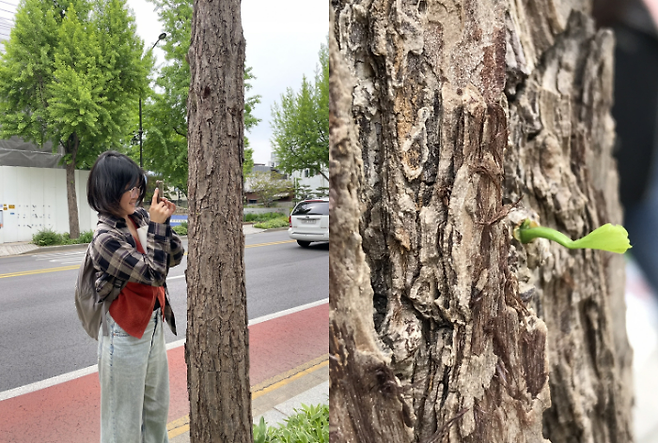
283, 39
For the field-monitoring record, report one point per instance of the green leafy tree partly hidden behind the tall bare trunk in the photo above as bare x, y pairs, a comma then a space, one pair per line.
165, 112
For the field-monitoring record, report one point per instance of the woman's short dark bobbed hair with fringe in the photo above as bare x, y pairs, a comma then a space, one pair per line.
113, 174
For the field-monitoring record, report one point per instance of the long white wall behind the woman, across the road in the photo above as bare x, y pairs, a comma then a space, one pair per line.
33, 199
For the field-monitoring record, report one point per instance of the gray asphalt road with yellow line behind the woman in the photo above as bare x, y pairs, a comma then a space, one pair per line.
40, 334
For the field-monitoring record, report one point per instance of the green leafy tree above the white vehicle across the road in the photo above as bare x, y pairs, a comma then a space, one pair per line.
300, 124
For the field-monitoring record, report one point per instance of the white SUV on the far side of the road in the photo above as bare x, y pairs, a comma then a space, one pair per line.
309, 221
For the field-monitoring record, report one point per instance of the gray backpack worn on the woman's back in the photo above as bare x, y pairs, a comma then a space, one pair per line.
92, 309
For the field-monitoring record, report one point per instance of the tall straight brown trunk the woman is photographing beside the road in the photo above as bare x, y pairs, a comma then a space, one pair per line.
217, 348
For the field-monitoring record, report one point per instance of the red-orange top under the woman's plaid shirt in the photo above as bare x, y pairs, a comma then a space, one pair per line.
133, 307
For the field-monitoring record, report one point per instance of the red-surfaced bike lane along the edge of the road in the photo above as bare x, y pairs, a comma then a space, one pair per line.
69, 412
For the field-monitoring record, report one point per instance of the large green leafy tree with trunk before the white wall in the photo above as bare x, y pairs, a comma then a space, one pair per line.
70, 74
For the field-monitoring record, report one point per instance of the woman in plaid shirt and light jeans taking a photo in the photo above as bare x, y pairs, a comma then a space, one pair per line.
132, 249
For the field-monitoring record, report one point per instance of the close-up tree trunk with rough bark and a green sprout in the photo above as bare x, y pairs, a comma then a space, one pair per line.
450, 123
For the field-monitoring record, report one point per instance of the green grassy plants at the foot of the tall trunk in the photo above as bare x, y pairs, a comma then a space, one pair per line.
310, 424
